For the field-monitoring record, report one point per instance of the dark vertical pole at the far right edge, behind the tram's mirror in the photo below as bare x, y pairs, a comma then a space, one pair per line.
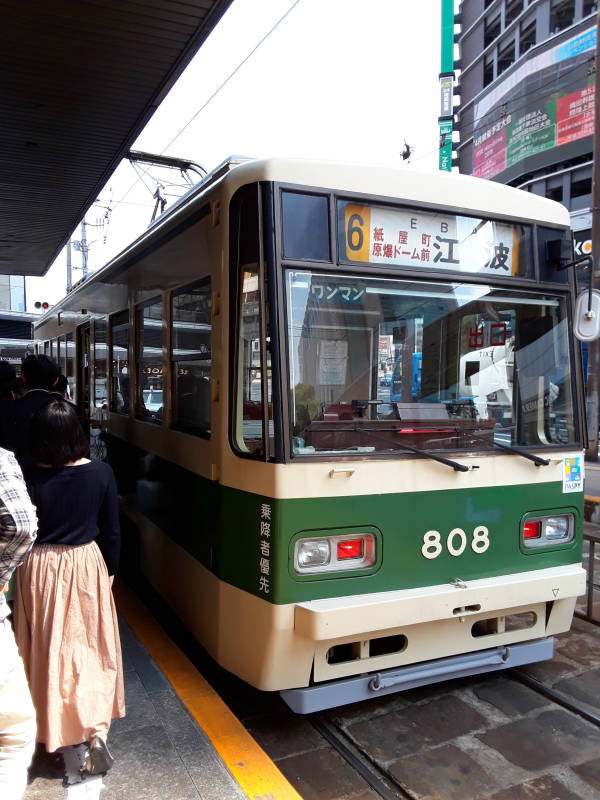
593, 377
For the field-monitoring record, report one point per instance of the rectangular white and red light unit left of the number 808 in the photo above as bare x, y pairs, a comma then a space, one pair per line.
335, 553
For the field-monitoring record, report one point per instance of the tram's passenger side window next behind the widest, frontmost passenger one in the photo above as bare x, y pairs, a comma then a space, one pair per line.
150, 338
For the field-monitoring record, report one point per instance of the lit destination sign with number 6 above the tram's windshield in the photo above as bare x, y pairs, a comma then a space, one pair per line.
416, 238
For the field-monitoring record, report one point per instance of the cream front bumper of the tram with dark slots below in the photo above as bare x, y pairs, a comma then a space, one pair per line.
369, 633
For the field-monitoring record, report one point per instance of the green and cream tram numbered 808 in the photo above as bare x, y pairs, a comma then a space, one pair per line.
318, 537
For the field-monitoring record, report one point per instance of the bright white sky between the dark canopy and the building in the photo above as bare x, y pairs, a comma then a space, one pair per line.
337, 79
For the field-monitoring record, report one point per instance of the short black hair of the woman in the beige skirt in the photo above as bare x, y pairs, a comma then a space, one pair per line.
56, 436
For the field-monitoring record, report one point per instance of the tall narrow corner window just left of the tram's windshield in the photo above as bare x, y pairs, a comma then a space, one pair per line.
249, 409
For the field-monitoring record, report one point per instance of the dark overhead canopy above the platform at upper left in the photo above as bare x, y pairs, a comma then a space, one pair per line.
79, 80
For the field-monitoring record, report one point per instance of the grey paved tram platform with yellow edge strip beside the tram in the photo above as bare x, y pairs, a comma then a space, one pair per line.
178, 741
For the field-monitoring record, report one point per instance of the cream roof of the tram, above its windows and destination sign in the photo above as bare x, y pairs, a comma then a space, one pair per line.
463, 193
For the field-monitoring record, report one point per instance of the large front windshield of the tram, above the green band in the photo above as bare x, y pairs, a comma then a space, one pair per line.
376, 364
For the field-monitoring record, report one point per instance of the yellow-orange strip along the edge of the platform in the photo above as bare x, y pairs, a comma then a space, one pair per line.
254, 771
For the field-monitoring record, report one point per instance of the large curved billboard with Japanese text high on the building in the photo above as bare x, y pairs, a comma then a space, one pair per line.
545, 103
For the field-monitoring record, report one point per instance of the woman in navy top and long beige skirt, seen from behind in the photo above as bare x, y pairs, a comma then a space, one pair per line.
65, 619
